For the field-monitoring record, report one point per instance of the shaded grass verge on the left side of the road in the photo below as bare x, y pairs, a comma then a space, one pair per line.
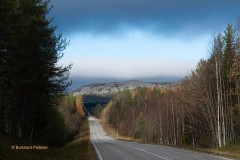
79, 149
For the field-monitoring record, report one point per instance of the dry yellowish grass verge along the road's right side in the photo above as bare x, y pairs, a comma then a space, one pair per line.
231, 151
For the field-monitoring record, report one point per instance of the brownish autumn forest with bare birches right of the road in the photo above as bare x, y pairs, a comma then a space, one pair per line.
204, 110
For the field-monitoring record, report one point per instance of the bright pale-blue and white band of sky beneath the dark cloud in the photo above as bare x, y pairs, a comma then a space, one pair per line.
137, 54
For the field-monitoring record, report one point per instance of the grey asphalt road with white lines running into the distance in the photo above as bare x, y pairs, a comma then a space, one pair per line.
111, 149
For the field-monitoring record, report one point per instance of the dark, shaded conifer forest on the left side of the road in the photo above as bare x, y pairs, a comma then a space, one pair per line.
34, 104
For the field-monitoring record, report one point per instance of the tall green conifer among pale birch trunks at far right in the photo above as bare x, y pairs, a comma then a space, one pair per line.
230, 46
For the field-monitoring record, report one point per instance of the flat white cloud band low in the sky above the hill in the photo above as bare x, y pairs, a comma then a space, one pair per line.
110, 67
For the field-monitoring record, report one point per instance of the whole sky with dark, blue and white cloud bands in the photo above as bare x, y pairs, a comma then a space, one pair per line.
149, 40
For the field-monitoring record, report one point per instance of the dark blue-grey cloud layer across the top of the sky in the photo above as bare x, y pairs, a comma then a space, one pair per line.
163, 16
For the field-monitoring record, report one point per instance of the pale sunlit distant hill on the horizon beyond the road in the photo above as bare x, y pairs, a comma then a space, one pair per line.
114, 87
